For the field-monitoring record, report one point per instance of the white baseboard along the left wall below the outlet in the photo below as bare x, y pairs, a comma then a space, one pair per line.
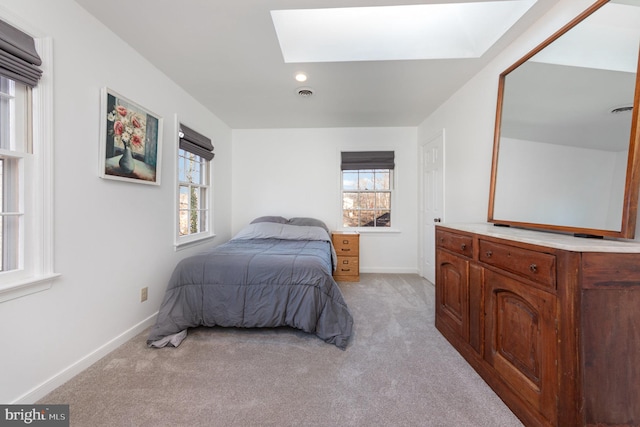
71, 371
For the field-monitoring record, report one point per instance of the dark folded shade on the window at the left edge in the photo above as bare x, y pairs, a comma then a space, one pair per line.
19, 60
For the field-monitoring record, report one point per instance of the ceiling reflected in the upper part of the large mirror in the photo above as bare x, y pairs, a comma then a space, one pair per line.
566, 92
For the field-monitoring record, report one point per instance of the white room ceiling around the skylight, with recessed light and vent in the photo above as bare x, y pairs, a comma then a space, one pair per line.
226, 54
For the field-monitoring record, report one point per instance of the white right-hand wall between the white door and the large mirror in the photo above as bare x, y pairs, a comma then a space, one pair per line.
469, 119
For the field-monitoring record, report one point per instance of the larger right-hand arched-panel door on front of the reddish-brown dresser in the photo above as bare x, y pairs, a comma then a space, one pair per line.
520, 336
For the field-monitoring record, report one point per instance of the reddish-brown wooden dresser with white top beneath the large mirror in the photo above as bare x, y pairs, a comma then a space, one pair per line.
551, 322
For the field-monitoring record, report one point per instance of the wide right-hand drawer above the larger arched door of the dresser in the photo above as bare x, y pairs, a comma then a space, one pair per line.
537, 266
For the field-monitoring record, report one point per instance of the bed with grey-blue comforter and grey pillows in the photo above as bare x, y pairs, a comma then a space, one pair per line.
274, 272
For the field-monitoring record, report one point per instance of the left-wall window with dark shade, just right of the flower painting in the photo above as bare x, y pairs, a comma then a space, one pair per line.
195, 152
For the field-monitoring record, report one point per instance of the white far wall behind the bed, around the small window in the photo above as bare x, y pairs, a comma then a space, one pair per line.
296, 172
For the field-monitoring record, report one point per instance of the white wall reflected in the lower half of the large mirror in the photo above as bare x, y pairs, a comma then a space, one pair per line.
570, 185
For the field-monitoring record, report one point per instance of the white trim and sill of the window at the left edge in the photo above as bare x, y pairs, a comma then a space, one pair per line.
35, 271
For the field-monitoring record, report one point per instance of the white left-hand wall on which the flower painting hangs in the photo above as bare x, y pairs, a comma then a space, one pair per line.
111, 238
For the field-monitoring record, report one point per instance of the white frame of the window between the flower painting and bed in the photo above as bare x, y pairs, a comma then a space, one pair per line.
183, 241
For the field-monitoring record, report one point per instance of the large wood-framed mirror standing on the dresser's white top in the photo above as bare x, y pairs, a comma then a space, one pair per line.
564, 128
